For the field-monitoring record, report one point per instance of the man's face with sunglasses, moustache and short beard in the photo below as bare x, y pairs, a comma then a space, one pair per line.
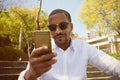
62, 28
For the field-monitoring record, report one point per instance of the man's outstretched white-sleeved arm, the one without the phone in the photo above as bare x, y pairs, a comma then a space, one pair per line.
103, 61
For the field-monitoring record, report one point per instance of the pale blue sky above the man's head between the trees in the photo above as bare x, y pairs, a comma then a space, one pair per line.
71, 6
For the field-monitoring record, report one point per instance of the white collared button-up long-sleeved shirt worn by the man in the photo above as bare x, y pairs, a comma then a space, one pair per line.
72, 63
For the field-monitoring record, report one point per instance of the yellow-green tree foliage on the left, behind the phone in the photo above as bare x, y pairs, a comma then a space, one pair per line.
15, 18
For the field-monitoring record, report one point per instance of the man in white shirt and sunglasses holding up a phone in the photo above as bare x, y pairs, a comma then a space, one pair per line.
69, 58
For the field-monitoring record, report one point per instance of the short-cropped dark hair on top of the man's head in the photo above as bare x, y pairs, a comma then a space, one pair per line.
61, 11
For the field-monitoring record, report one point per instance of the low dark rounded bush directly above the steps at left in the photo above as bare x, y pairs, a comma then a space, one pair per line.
10, 53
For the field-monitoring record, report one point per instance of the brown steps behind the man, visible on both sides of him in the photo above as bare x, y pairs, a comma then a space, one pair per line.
9, 70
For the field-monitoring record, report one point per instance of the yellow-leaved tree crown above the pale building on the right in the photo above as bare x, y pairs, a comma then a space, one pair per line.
102, 15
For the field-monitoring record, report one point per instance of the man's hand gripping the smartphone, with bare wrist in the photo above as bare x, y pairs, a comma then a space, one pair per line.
40, 62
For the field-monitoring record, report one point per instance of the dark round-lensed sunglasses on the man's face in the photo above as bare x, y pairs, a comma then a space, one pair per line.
62, 26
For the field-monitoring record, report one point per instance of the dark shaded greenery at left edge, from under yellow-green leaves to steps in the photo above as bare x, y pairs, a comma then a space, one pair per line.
9, 52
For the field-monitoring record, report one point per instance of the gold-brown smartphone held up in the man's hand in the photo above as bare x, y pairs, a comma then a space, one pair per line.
42, 38
